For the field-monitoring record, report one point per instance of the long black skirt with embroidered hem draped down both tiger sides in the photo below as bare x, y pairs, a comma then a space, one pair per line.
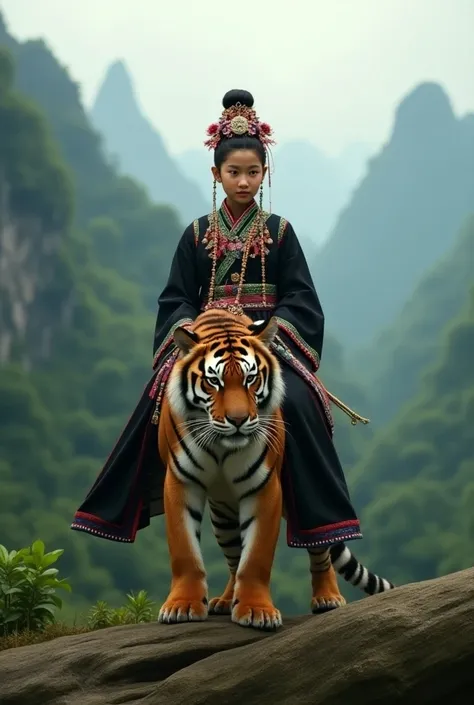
128, 491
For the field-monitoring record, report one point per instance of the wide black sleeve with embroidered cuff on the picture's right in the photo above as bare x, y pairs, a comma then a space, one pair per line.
298, 311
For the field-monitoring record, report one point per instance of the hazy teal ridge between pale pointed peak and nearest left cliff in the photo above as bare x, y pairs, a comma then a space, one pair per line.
133, 235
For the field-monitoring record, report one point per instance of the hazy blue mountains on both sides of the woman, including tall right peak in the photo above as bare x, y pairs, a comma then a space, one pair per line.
370, 225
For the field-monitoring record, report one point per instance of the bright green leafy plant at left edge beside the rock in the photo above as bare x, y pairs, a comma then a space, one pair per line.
28, 584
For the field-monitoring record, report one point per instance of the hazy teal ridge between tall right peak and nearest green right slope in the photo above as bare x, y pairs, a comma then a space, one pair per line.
391, 367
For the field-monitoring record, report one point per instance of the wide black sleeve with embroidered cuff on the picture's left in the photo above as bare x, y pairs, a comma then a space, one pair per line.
178, 303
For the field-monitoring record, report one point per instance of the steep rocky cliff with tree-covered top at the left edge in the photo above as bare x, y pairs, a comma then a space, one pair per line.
35, 217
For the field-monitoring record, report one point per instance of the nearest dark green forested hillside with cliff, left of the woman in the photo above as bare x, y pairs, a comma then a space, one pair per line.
60, 410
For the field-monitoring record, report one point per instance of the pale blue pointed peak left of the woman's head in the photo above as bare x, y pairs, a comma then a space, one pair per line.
139, 148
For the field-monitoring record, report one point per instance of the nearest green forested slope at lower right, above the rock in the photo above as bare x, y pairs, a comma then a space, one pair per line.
416, 481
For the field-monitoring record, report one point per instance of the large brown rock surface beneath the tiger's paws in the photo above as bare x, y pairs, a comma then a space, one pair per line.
413, 645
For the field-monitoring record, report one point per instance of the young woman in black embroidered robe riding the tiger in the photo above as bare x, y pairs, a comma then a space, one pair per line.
245, 259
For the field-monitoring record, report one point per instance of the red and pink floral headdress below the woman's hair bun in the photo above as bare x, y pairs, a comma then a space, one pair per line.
239, 120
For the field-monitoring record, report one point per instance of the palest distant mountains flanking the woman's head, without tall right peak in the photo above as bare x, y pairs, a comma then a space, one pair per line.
309, 187
